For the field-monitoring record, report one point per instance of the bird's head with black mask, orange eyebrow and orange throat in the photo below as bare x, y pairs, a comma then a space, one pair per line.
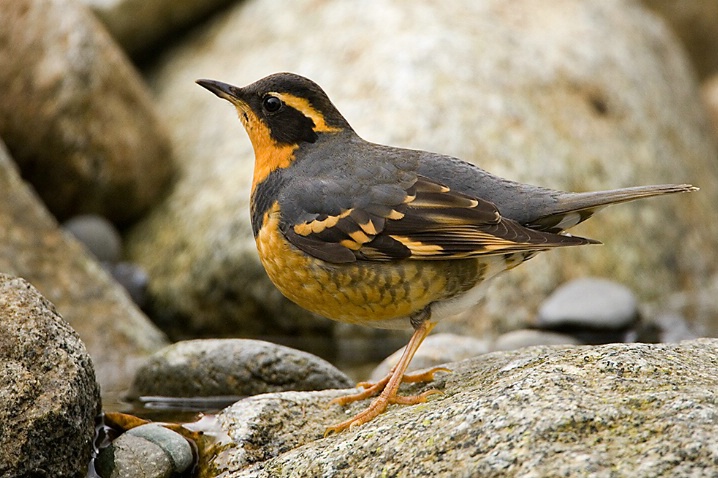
282, 109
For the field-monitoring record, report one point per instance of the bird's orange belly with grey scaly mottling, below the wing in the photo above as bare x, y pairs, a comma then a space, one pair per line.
363, 292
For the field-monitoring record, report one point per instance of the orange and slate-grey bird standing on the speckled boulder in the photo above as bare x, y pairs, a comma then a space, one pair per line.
383, 236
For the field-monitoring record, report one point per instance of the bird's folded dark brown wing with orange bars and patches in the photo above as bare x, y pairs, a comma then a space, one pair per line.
426, 221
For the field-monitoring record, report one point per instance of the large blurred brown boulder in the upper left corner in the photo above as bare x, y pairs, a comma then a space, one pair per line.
75, 114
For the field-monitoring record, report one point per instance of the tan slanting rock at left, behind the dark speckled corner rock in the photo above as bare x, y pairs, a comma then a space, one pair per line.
117, 335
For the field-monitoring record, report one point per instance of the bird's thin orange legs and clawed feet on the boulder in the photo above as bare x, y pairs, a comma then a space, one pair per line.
390, 384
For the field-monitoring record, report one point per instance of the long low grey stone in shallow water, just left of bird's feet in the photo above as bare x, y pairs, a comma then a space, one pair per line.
239, 367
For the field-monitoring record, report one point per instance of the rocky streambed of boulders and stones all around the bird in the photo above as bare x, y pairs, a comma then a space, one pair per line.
124, 228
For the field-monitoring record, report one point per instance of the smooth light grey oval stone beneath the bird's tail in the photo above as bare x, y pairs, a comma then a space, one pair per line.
589, 303
